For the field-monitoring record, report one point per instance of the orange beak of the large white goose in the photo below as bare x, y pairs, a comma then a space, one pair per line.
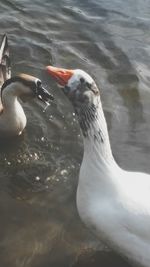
62, 76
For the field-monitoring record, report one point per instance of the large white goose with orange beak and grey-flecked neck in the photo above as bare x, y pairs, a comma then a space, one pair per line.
112, 202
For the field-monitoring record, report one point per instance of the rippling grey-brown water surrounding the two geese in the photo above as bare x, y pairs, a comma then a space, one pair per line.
39, 224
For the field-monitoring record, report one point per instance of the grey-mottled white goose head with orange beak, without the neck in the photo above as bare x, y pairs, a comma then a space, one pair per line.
77, 85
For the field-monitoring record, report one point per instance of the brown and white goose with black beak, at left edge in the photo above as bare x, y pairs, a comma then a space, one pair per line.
23, 86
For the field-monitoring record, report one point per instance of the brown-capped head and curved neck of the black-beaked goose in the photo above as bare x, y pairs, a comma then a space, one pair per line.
25, 87
